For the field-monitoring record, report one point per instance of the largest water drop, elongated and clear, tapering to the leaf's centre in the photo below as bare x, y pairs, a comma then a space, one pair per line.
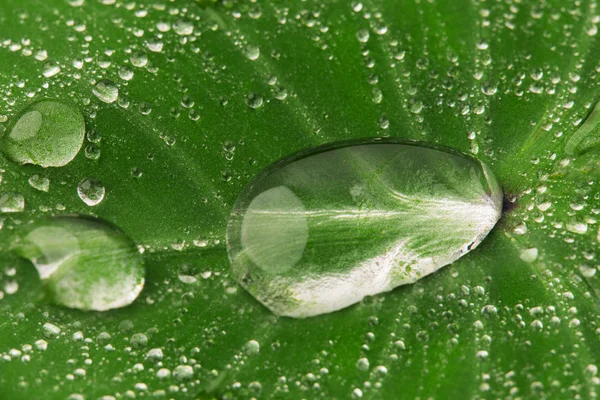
320, 230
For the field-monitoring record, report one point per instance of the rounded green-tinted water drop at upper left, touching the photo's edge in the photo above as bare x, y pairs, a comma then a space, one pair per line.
48, 133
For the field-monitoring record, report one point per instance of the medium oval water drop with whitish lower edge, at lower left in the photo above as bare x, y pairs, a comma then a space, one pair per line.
85, 263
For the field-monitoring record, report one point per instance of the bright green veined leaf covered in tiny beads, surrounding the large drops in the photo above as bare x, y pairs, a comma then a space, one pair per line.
199, 114
